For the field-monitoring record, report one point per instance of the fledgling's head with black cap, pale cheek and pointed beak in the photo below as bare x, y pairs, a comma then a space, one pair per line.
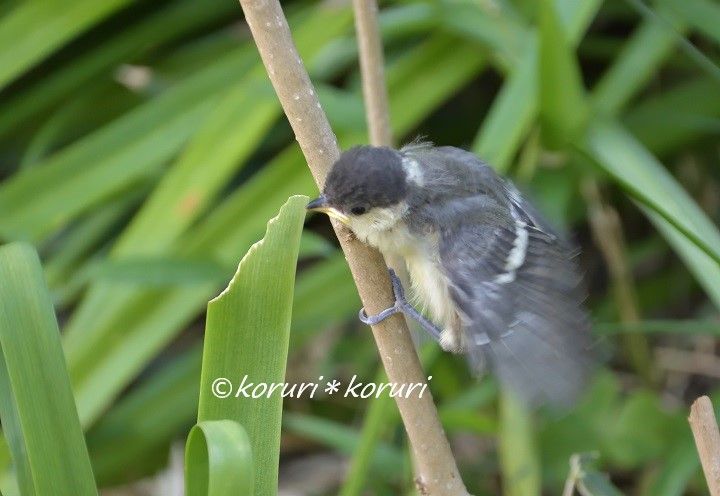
365, 190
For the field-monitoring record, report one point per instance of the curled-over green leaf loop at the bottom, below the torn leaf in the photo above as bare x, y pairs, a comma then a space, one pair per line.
218, 460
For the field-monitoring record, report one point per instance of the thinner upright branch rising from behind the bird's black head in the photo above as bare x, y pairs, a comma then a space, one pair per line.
372, 67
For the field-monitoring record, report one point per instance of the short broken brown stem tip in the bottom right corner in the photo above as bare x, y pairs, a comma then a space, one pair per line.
707, 439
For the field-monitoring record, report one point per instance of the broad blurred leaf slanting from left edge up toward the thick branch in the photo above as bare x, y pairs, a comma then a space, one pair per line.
112, 158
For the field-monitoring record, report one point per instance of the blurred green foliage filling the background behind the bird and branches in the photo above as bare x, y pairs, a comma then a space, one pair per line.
142, 150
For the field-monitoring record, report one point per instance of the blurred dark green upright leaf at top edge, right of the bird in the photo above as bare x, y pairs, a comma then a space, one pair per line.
563, 109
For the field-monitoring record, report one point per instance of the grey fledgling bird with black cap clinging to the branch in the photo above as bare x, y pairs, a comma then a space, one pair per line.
500, 284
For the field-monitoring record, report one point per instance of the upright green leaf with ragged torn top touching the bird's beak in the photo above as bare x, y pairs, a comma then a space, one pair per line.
246, 339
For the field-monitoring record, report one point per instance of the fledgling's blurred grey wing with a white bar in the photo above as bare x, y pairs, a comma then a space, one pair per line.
519, 295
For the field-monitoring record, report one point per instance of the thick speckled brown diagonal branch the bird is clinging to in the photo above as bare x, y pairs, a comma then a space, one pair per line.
437, 471
